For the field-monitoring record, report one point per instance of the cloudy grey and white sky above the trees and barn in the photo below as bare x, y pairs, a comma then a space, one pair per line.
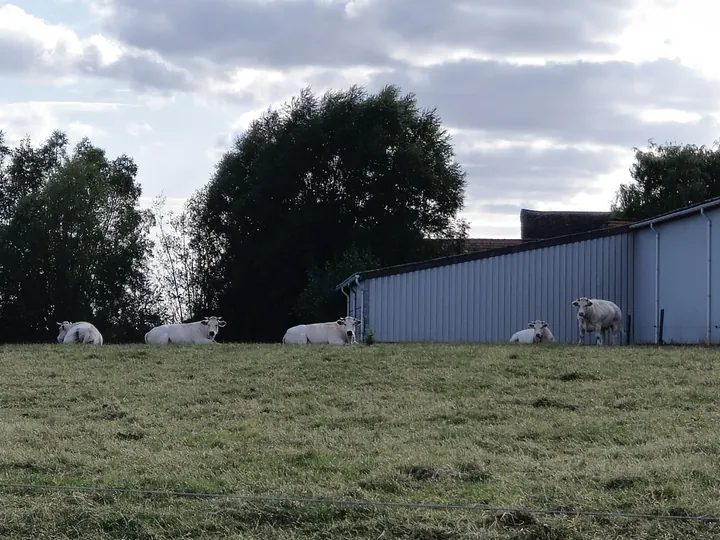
545, 98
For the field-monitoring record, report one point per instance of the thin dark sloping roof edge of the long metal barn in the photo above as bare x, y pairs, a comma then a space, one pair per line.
618, 227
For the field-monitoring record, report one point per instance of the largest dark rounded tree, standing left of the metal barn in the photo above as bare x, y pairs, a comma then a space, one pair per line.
346, 173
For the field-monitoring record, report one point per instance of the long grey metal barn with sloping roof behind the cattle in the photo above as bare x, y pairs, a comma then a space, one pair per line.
663, 263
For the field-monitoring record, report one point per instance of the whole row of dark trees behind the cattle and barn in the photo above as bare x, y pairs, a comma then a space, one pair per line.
308, 194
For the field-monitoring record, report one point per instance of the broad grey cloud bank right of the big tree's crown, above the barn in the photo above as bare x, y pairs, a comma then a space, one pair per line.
580, 102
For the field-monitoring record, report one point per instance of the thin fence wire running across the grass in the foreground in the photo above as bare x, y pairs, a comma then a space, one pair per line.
560, 512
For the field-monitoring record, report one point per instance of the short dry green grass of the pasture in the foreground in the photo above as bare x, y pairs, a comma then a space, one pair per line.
615, 429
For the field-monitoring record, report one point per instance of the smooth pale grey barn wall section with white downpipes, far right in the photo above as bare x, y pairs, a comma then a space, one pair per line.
683, 275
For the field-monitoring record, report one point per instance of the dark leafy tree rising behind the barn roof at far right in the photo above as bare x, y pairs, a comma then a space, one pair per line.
667, 177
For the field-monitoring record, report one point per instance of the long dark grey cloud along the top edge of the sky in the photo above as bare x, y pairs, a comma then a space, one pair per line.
307, 32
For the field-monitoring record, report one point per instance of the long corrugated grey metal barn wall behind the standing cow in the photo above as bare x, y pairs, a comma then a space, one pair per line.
487, 300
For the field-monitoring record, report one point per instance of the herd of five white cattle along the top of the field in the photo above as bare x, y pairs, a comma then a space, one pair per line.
593, 315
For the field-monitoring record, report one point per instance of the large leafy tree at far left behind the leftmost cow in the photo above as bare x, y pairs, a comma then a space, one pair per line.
73, 243
